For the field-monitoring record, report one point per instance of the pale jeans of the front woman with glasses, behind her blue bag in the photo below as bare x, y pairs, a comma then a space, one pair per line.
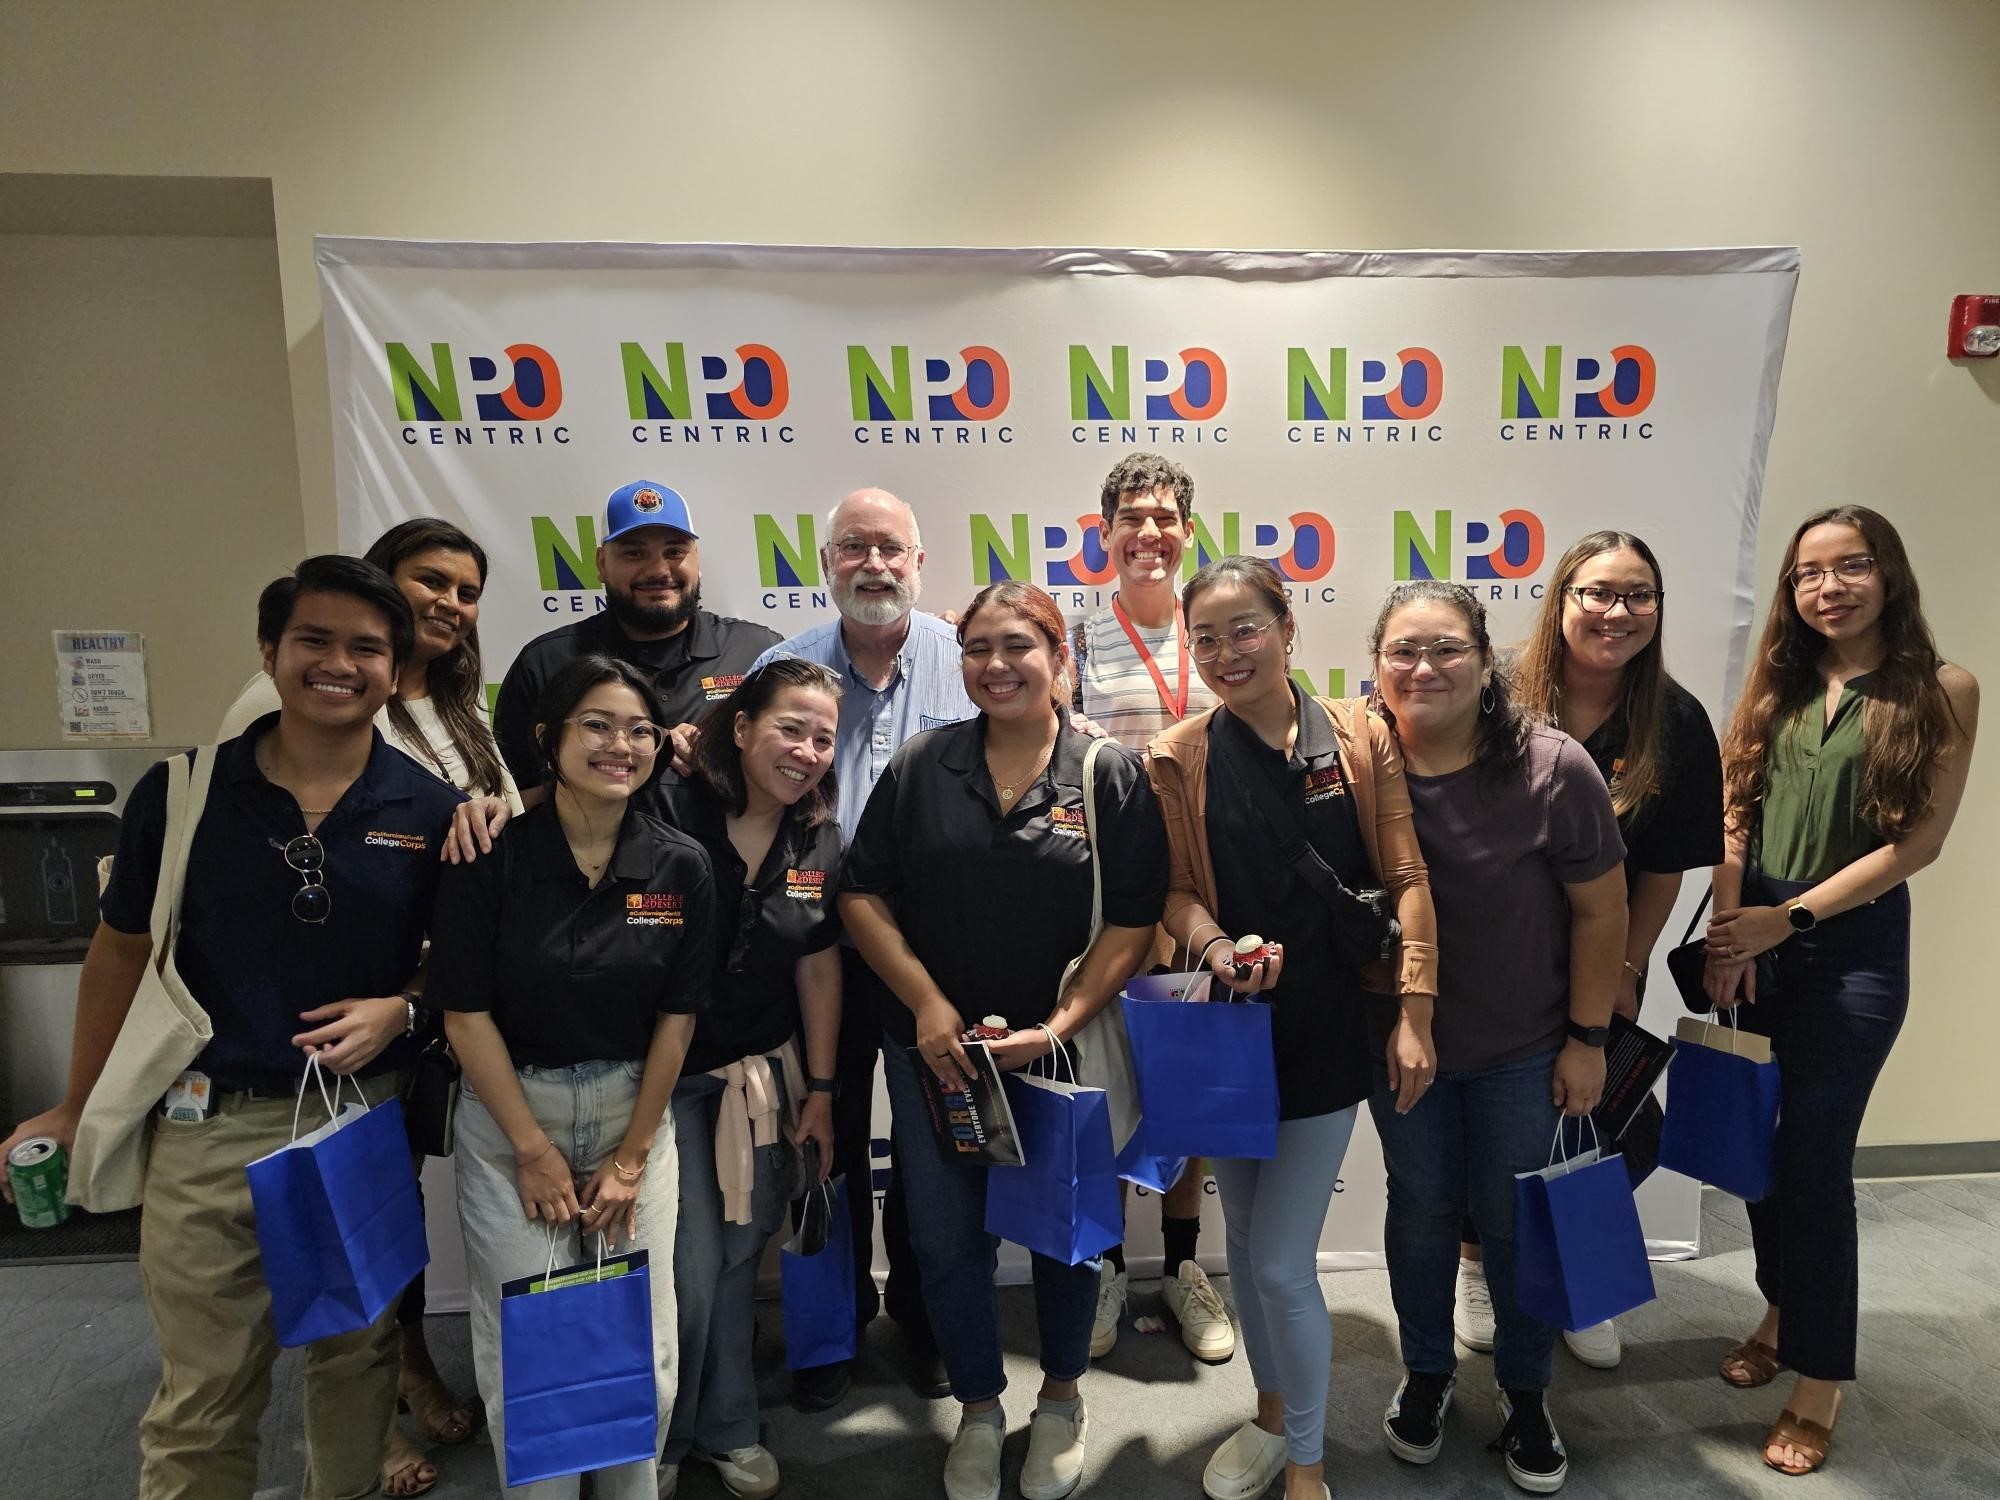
585, 1111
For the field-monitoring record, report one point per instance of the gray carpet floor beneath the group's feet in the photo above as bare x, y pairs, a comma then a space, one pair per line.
1923, 1421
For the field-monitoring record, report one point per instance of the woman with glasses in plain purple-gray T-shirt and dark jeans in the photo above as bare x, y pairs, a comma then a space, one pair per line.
1525, 867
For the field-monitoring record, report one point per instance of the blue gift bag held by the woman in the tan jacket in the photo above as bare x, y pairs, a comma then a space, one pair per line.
1207, 1073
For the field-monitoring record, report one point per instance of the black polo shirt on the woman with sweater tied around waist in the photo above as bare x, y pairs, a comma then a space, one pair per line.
763, 927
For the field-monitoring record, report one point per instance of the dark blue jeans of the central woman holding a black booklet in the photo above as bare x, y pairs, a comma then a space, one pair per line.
957, 1257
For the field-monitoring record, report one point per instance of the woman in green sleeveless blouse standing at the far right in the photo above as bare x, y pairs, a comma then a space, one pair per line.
1843, 771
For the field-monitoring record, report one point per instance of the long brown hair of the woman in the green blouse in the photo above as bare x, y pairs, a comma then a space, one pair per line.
1907, 721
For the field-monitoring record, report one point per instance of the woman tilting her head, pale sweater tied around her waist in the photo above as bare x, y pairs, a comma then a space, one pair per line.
759, 1077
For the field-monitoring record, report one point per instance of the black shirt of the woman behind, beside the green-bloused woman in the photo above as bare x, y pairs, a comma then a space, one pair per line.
1681, 827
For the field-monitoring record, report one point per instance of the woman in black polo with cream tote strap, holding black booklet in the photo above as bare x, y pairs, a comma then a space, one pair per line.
973, 821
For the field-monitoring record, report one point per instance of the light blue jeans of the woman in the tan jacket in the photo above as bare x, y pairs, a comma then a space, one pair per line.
1275, 1213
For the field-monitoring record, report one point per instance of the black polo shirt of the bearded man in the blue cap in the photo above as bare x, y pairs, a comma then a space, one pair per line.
691, 671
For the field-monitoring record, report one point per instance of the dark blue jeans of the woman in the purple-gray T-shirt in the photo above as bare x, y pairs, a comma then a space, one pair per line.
1455, 1155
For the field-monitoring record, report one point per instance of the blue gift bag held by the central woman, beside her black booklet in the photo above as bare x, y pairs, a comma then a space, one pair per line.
1063, 1199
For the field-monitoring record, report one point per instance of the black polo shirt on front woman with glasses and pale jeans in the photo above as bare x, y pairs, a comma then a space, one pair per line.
577, 973
